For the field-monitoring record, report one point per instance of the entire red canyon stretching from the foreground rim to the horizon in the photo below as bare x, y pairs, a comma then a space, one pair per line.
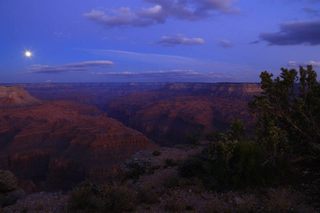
53, 136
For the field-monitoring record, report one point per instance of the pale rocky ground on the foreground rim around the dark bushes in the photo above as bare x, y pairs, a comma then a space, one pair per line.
159, 188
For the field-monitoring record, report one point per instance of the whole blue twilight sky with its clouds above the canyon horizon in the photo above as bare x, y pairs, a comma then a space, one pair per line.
155, 40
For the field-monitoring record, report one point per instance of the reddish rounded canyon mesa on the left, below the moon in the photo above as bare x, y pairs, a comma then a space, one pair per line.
58, 144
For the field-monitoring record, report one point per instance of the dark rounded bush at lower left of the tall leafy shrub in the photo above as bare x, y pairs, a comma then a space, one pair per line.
232, 162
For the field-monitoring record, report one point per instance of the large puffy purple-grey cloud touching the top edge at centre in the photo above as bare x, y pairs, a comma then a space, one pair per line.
161, 11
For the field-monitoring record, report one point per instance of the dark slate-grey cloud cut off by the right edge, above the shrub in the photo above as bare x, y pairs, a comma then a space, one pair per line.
295, 33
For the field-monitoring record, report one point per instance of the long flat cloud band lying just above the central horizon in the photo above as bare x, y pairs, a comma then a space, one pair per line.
168, 75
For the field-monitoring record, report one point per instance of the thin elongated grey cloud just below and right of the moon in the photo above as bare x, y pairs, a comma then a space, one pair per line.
74, 67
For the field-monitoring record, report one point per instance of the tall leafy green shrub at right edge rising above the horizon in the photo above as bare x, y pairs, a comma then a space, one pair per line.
288, 112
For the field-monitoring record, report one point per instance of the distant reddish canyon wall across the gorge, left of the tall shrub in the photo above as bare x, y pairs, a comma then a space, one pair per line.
180, 113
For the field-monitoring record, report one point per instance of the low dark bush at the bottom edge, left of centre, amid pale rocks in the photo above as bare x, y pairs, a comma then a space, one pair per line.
88, 197
